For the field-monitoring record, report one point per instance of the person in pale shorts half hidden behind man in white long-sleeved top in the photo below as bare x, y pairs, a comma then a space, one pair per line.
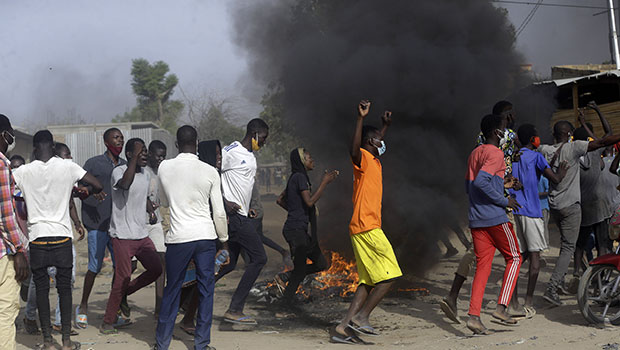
156, 154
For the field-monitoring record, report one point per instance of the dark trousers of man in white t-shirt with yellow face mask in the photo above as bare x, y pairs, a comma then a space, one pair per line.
242, 235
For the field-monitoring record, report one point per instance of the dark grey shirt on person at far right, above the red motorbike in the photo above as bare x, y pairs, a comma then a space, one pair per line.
594, 203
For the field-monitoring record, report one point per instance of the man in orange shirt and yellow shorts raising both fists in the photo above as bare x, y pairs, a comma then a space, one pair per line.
376, 263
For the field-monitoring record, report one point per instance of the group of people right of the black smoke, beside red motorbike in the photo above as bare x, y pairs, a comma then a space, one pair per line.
515, 186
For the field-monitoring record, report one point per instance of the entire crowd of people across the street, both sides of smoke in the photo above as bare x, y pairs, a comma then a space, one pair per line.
188, 219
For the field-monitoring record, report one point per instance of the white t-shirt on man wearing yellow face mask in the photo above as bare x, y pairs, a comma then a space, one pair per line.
238, 171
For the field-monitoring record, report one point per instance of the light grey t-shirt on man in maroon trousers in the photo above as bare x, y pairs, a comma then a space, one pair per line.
129, 215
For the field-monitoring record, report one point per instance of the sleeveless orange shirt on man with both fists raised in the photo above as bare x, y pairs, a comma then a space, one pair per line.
367, 194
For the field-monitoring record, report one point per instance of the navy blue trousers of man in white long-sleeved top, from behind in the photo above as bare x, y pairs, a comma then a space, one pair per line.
177, 259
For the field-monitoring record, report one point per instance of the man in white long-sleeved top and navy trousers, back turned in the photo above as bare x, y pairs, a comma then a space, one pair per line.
191, 188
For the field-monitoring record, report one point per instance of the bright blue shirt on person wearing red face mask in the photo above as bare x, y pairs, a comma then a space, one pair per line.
528, 170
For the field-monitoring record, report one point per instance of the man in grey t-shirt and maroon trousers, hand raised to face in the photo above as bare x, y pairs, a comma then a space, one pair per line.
128, 233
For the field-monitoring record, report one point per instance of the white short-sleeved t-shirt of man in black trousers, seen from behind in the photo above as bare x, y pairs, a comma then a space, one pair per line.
47, 188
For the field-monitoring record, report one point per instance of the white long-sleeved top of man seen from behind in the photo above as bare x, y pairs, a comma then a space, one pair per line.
187, 185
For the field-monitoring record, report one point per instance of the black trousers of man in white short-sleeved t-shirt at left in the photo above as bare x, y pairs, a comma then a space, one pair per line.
43, 256
